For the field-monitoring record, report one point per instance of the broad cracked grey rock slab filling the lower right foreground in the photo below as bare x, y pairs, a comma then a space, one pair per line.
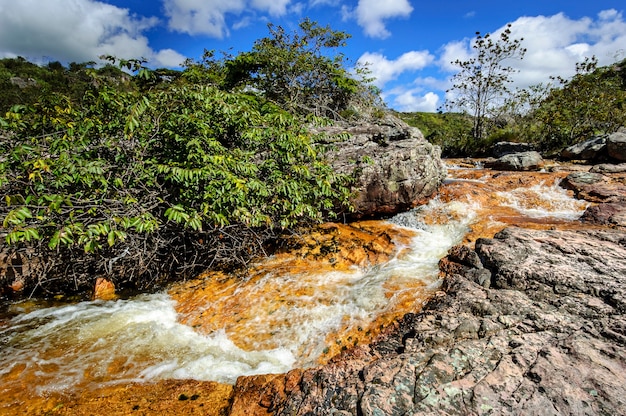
547, 336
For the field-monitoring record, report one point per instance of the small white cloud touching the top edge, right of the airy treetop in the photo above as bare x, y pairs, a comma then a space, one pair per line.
371, 14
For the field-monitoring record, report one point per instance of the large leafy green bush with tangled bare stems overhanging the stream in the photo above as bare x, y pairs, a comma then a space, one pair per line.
166, 178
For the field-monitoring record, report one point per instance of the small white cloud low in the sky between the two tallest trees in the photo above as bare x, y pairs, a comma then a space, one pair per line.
384, 70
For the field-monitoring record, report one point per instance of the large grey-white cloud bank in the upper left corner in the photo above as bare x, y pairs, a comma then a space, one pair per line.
76, 31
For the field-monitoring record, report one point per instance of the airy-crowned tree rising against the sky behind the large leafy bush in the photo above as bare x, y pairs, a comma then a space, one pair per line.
301, 72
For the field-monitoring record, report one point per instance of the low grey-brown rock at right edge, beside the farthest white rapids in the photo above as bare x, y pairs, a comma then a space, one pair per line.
594, 187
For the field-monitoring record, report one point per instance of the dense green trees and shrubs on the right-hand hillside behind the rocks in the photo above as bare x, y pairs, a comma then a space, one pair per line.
552, 117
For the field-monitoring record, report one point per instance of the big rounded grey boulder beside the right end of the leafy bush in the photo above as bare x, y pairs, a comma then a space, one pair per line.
394, 167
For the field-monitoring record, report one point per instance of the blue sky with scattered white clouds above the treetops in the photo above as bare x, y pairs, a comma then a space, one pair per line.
408, 45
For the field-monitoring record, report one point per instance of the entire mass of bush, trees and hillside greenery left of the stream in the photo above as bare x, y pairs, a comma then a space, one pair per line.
158, 175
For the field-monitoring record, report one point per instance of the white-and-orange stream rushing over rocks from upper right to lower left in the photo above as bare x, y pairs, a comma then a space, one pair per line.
268, 323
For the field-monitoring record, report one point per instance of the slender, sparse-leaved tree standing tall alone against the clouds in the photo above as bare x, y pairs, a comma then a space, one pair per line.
482, 82
